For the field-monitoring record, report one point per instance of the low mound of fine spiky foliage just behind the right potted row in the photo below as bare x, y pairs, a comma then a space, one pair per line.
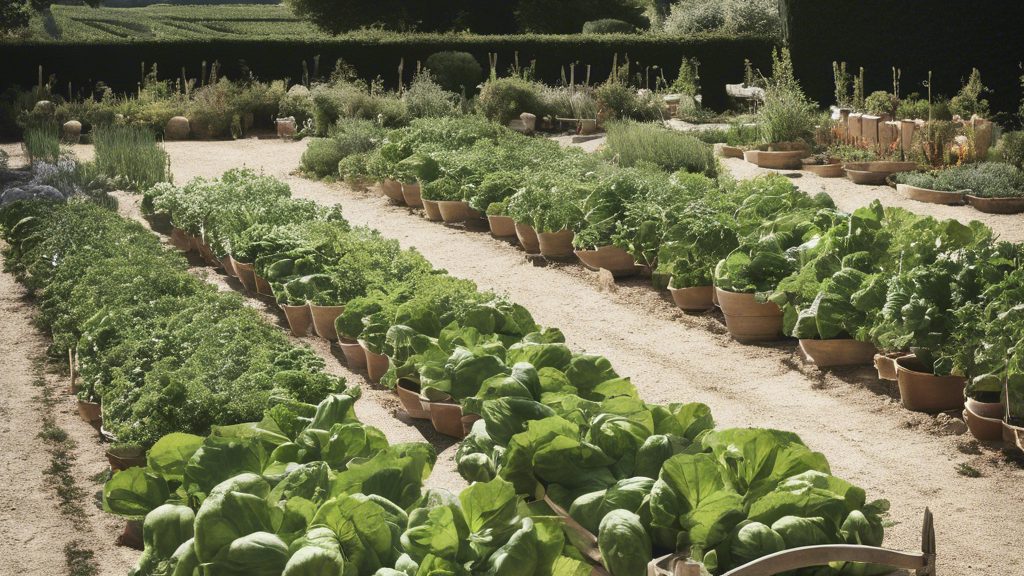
630, 144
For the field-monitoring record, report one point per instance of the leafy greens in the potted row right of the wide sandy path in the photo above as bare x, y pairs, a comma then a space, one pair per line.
904, 282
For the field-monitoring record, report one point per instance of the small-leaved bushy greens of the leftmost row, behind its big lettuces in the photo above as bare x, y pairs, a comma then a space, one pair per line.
162, 351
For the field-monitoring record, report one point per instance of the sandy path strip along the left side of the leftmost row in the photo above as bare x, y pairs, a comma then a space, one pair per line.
33, 531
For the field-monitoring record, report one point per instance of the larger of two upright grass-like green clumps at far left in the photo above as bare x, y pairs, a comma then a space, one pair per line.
132, 155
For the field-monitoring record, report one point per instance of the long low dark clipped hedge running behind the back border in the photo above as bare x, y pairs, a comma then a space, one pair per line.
118, 64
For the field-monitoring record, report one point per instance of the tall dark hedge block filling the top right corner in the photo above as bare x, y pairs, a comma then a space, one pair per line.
917, 36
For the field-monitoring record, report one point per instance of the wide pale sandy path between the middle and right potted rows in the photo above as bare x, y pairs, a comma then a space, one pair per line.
848, 415
